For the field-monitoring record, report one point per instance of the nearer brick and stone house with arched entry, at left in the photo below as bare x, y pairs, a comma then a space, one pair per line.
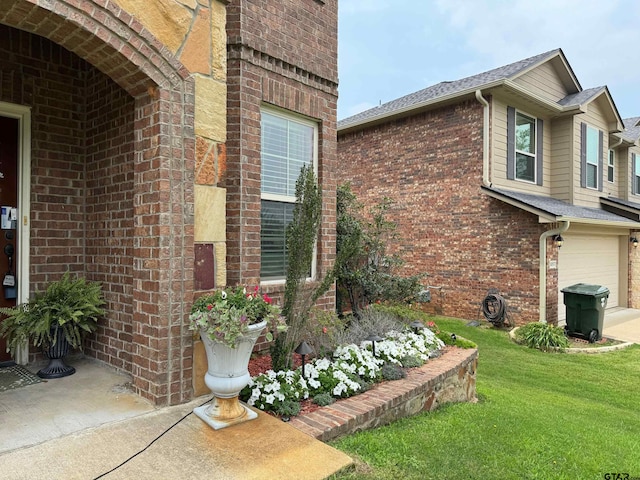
119, 155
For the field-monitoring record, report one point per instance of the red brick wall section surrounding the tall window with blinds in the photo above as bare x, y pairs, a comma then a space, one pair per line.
284, 57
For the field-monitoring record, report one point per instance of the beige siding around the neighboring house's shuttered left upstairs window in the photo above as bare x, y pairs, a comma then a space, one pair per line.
499, 149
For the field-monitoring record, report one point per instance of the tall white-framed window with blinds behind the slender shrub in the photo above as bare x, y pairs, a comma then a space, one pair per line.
288, 143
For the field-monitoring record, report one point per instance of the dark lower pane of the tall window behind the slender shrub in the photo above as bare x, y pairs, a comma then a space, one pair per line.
275, 216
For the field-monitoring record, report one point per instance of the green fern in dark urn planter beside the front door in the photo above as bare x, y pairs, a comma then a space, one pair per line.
56, 320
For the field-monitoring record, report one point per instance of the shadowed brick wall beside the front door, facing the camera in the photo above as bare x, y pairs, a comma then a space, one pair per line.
40, 74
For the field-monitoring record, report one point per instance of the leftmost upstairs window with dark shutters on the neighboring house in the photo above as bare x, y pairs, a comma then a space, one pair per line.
524, 147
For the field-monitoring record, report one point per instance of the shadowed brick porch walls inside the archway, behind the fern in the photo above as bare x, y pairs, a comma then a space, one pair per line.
81, 177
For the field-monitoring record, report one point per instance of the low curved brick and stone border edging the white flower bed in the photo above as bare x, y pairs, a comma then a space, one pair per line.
448, 378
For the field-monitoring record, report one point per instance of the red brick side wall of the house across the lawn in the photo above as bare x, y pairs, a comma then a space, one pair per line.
430, 165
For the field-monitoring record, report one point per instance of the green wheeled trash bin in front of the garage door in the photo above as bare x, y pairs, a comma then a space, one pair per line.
585, 306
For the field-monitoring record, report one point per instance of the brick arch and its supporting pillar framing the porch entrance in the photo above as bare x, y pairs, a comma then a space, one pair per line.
157, 344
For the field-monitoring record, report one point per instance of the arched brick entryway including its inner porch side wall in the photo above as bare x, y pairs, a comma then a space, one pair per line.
127, 177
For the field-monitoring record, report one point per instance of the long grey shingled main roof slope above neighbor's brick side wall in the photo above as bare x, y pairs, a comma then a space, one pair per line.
445, 89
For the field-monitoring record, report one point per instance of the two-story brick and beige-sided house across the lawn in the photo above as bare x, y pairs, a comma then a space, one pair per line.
487, 170
